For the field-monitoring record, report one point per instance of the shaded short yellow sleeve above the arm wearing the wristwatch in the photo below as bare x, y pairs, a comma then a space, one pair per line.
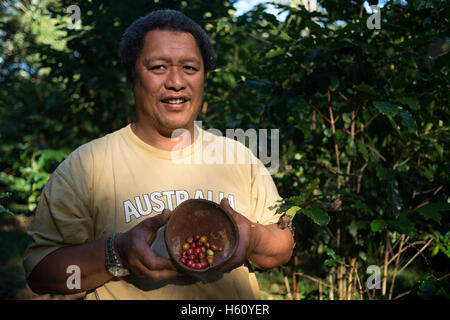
62, 216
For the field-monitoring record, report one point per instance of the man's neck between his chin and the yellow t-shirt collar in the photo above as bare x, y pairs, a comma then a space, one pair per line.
163, 140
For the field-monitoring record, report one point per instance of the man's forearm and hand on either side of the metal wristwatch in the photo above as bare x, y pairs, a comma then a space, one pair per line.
133, 247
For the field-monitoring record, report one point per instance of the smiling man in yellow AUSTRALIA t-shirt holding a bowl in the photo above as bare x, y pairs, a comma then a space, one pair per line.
104, 208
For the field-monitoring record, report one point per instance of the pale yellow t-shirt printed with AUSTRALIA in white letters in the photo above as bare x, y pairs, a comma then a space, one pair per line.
113, 183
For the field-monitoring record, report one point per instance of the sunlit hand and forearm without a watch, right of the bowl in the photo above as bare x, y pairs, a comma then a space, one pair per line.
265, 246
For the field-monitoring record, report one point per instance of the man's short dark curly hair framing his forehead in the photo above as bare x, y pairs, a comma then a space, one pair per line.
132, 40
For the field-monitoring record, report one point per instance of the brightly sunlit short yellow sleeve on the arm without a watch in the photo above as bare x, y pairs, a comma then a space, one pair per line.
264, 195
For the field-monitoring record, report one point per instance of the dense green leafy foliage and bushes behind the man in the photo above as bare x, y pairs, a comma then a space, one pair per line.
363, 118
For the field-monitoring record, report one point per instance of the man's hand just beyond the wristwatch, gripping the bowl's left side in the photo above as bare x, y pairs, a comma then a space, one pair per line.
134, 249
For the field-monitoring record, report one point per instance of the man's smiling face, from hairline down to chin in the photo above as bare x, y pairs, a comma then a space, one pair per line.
169, 81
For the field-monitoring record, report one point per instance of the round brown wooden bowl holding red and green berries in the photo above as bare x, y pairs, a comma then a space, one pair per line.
202, 217
